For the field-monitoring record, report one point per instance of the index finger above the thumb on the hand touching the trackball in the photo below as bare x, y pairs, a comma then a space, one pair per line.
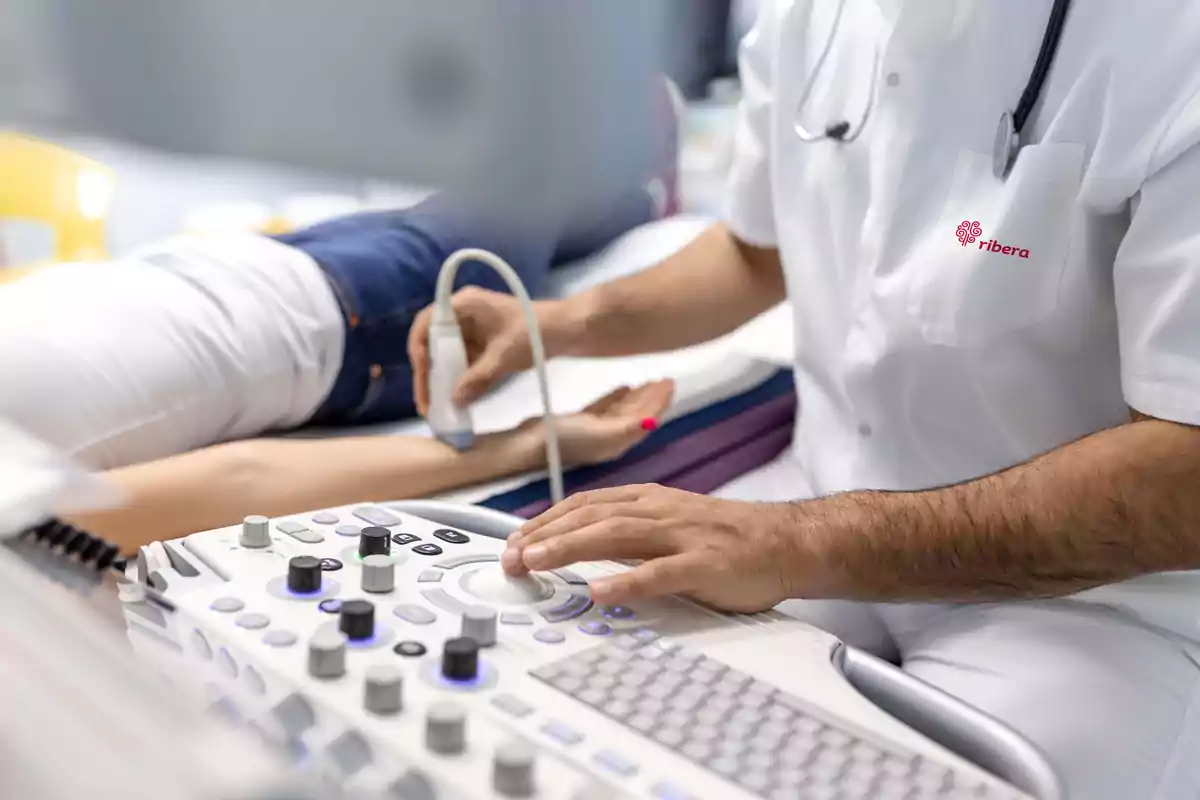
610, 540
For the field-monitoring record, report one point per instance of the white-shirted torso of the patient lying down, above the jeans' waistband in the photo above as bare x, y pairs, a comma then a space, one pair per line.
182, 347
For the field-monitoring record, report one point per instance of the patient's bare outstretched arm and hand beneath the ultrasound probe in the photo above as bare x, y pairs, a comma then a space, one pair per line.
221, 485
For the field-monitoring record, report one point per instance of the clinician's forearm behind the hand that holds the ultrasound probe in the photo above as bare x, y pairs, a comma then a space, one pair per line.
710, 288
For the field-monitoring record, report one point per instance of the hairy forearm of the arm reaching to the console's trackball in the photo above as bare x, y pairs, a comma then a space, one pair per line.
1118, 506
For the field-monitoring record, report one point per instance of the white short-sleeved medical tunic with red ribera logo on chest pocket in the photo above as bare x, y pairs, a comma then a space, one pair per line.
951, 324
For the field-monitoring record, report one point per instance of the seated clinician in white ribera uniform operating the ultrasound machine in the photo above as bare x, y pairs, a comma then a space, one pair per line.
986, 215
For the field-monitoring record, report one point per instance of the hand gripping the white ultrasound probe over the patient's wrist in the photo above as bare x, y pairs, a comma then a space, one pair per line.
494, 329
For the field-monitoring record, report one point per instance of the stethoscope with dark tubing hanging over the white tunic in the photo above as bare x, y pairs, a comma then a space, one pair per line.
1009, 134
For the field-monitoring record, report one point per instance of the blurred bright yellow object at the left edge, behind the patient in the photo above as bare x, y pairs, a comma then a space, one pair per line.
50, 185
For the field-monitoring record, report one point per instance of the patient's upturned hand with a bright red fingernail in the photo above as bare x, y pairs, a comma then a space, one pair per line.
610, 428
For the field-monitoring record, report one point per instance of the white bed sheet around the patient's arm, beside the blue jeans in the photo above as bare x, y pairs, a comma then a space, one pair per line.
712, 370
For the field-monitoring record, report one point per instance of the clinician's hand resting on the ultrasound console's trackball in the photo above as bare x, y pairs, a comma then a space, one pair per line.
736, 557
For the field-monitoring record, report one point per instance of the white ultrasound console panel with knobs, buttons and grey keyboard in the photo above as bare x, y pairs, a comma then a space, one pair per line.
394, 658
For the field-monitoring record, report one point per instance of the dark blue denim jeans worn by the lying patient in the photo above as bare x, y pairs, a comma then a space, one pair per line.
383, 268
